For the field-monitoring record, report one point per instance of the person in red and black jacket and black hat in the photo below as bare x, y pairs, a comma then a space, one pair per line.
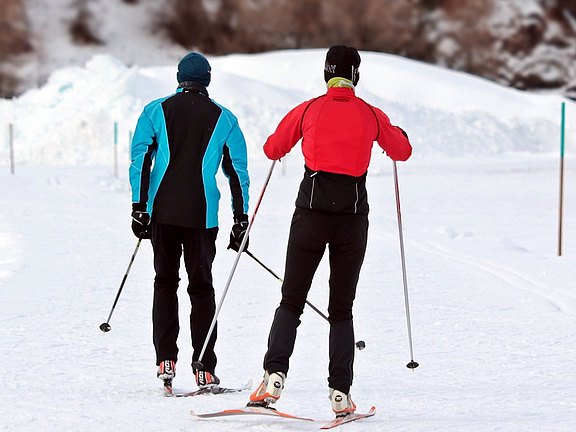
338, 130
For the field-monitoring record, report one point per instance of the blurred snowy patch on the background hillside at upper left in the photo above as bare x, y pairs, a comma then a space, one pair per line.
141, 42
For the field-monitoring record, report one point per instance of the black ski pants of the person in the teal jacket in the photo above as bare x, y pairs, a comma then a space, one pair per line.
199, 246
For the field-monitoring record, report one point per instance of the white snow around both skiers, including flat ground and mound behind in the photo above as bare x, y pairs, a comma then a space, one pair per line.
493, 307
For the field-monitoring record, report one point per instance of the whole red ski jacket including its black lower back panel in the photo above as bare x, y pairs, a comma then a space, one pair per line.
338, 131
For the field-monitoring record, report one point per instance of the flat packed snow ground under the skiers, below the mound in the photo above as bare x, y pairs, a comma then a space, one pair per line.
490, 339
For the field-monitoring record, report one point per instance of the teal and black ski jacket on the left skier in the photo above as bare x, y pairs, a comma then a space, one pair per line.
179, 143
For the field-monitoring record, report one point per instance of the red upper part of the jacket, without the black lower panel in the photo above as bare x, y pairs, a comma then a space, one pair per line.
339, 130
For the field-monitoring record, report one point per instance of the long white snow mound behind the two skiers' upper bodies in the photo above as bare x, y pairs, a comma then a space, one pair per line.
71, 119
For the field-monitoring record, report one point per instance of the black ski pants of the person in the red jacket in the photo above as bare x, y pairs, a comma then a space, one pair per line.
346, 236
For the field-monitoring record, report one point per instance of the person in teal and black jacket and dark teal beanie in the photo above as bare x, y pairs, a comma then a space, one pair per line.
179, 144
